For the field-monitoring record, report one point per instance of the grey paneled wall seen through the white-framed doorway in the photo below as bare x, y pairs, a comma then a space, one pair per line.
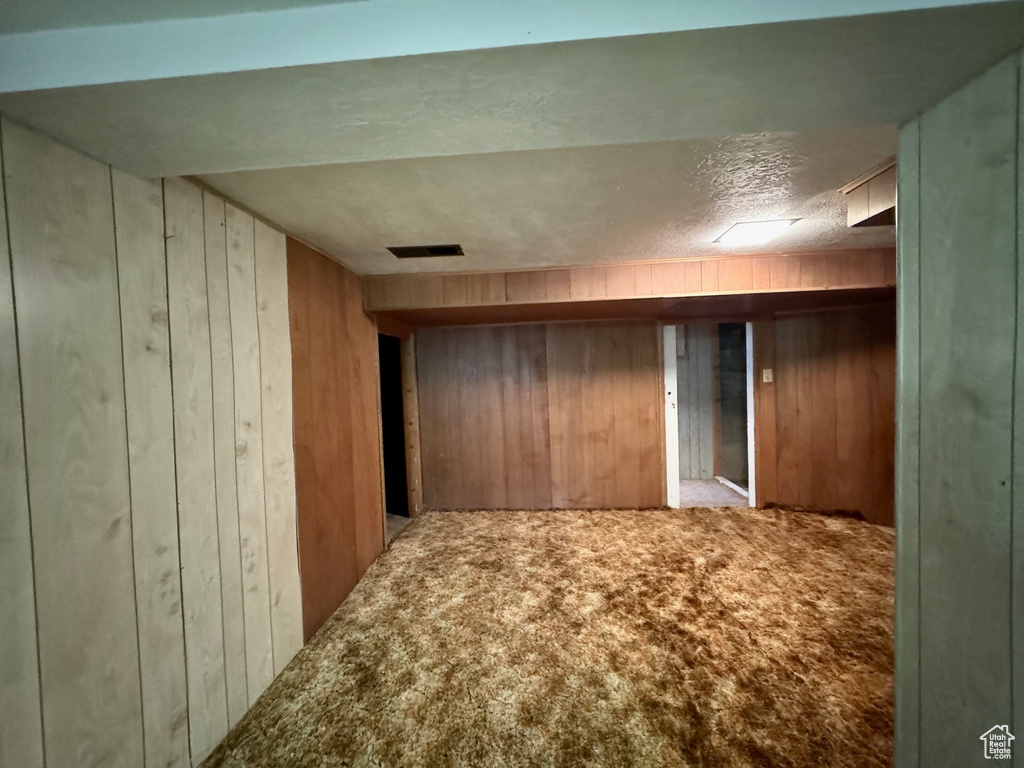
697, 352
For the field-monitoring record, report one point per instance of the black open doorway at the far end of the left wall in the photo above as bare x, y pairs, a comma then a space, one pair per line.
393, 426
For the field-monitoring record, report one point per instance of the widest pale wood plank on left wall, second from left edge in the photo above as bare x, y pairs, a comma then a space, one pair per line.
65, 273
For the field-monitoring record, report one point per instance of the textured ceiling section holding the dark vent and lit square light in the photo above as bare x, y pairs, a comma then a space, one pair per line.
564, 207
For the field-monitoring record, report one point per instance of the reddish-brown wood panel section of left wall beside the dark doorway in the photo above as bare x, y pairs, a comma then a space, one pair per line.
337, 432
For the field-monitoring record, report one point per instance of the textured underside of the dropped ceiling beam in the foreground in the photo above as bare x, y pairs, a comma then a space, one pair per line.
801, 76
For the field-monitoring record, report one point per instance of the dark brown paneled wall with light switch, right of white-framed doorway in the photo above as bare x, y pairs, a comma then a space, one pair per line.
826, 426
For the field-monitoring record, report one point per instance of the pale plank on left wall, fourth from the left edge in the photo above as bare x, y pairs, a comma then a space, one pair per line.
193, 388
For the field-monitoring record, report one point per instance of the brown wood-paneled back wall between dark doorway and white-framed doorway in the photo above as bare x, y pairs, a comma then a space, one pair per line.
539, 417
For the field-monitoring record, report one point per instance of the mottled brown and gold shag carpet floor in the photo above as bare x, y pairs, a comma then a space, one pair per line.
727, 637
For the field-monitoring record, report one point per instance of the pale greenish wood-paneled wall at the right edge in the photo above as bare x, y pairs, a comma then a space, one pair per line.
960, 517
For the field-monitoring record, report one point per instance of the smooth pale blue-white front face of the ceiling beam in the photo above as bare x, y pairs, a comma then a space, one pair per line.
354, 31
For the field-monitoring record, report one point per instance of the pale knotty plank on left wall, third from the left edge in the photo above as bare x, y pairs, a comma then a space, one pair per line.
146, 347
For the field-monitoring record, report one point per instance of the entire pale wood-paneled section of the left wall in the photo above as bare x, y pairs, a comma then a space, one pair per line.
148, 609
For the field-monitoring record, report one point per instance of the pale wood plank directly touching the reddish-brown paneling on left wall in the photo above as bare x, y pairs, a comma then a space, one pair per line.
279, 459
